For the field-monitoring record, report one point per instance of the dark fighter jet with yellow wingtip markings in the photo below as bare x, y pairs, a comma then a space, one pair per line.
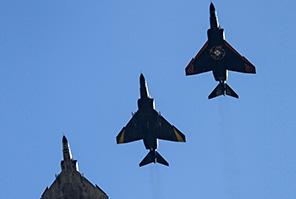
149, 125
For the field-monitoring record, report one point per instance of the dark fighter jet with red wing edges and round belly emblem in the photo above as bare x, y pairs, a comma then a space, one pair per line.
218, 56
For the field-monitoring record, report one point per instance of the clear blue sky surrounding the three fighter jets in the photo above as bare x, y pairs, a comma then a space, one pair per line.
73, 67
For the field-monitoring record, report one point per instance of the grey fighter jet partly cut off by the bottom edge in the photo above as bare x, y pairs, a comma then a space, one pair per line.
70, 183
